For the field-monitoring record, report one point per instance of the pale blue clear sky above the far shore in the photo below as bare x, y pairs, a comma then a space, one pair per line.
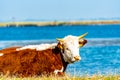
20, 10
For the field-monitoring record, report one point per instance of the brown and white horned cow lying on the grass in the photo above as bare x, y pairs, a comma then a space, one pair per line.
42, 59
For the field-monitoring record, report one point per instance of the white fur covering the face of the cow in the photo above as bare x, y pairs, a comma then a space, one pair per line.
71, 48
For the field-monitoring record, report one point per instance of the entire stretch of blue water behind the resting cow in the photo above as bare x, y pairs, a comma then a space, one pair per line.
100, 55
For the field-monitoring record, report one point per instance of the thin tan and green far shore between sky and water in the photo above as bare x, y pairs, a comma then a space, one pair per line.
58, 23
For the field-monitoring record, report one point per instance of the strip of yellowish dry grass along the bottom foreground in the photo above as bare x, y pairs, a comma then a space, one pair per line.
85, 77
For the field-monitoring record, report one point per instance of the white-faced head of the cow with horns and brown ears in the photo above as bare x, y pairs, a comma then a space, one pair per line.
70, 47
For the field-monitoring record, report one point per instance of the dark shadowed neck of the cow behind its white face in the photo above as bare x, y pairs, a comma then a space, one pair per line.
58, 51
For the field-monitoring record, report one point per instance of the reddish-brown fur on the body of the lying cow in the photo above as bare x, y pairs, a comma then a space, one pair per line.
30, 62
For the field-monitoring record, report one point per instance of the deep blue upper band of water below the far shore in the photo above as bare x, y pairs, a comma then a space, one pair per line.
51, 32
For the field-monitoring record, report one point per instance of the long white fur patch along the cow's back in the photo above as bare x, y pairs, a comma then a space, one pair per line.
37, 47
